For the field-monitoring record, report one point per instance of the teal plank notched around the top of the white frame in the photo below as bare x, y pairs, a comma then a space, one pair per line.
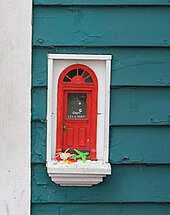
130, 66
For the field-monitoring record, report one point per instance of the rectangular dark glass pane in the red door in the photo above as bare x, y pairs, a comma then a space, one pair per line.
76, 105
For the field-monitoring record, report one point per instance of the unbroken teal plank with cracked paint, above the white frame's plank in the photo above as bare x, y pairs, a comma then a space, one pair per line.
104, 26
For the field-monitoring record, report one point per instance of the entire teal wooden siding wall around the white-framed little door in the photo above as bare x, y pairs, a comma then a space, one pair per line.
137, 35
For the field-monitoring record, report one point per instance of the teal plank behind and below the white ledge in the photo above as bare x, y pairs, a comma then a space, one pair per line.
128, 183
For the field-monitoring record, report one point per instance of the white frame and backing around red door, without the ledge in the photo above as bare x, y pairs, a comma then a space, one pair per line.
101, 65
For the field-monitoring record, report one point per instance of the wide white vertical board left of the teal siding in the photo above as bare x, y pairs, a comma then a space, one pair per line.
15, 106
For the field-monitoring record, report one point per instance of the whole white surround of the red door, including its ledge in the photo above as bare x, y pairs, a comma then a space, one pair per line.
90, 172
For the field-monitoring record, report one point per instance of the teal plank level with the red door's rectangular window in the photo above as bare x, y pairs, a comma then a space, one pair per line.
129, 106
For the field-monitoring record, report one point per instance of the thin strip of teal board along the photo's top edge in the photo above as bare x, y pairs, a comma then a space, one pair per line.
102, 2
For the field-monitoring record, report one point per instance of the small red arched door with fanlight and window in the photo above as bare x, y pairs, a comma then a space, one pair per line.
77, 110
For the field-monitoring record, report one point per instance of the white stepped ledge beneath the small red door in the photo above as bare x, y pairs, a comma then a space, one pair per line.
78, 174
